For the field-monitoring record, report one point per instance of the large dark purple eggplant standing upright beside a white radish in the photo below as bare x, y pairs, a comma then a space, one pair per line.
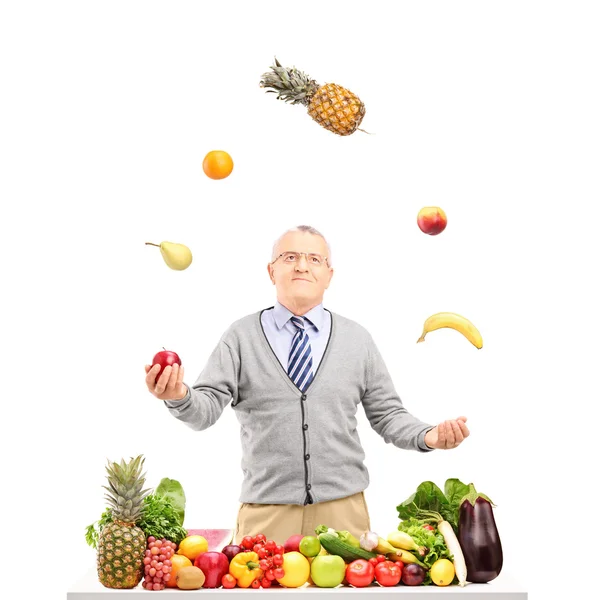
478, 537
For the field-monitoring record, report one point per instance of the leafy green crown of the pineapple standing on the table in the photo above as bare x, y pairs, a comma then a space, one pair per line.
125, 494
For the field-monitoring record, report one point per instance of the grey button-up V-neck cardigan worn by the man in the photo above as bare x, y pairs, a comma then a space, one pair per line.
300, 448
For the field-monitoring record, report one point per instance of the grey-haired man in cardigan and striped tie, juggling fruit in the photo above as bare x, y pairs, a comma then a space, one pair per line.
295, 374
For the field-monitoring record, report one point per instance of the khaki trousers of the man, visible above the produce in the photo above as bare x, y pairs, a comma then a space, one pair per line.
280, 521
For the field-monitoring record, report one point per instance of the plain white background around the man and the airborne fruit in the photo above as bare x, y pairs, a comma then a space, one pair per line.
487, 109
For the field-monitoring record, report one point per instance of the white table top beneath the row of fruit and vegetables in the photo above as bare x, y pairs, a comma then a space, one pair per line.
503, 588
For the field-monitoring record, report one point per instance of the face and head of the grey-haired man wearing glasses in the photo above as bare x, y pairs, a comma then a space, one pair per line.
302, 280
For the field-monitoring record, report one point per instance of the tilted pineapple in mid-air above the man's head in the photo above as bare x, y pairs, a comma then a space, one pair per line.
331, 105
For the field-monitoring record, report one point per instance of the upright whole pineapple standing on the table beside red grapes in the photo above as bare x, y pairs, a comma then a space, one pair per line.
121, 545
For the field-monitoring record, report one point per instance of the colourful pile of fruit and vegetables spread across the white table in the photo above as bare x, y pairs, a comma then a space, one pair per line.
444, 538
